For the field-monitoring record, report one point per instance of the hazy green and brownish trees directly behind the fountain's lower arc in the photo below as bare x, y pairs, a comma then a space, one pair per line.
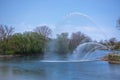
66, 44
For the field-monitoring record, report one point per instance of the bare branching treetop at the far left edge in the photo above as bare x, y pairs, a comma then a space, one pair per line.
5, 32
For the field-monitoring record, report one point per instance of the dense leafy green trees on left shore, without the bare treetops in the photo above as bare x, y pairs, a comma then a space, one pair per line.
27, 43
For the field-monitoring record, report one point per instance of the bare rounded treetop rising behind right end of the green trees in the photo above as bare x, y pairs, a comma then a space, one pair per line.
43, 30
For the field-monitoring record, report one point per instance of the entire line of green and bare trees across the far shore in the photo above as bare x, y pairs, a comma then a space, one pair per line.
36, 41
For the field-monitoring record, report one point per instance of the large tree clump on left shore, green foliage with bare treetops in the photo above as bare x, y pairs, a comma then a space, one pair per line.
26, 43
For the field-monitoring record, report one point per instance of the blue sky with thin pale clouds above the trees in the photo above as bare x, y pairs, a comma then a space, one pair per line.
25, 15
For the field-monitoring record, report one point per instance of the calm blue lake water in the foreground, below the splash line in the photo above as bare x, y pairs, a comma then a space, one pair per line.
34, 69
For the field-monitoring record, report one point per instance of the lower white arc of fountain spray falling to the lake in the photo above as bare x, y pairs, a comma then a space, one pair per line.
85, 50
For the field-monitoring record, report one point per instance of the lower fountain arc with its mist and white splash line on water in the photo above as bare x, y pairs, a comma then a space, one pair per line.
83, 52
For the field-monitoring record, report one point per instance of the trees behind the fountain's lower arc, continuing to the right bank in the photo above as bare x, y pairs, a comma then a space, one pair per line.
65, 44
